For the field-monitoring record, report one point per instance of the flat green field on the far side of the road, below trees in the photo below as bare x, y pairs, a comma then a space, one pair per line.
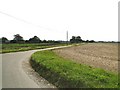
6, 48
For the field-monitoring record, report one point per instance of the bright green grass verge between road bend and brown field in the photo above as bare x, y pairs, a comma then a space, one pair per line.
68, 74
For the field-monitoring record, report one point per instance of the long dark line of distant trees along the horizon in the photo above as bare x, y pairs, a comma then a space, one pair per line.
75, 39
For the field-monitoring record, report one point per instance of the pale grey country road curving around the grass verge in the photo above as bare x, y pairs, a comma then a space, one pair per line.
13, 75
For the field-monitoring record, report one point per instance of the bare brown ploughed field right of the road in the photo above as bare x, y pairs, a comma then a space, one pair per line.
100, 55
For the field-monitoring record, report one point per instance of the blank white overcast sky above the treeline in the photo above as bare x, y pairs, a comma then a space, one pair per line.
50, 19
